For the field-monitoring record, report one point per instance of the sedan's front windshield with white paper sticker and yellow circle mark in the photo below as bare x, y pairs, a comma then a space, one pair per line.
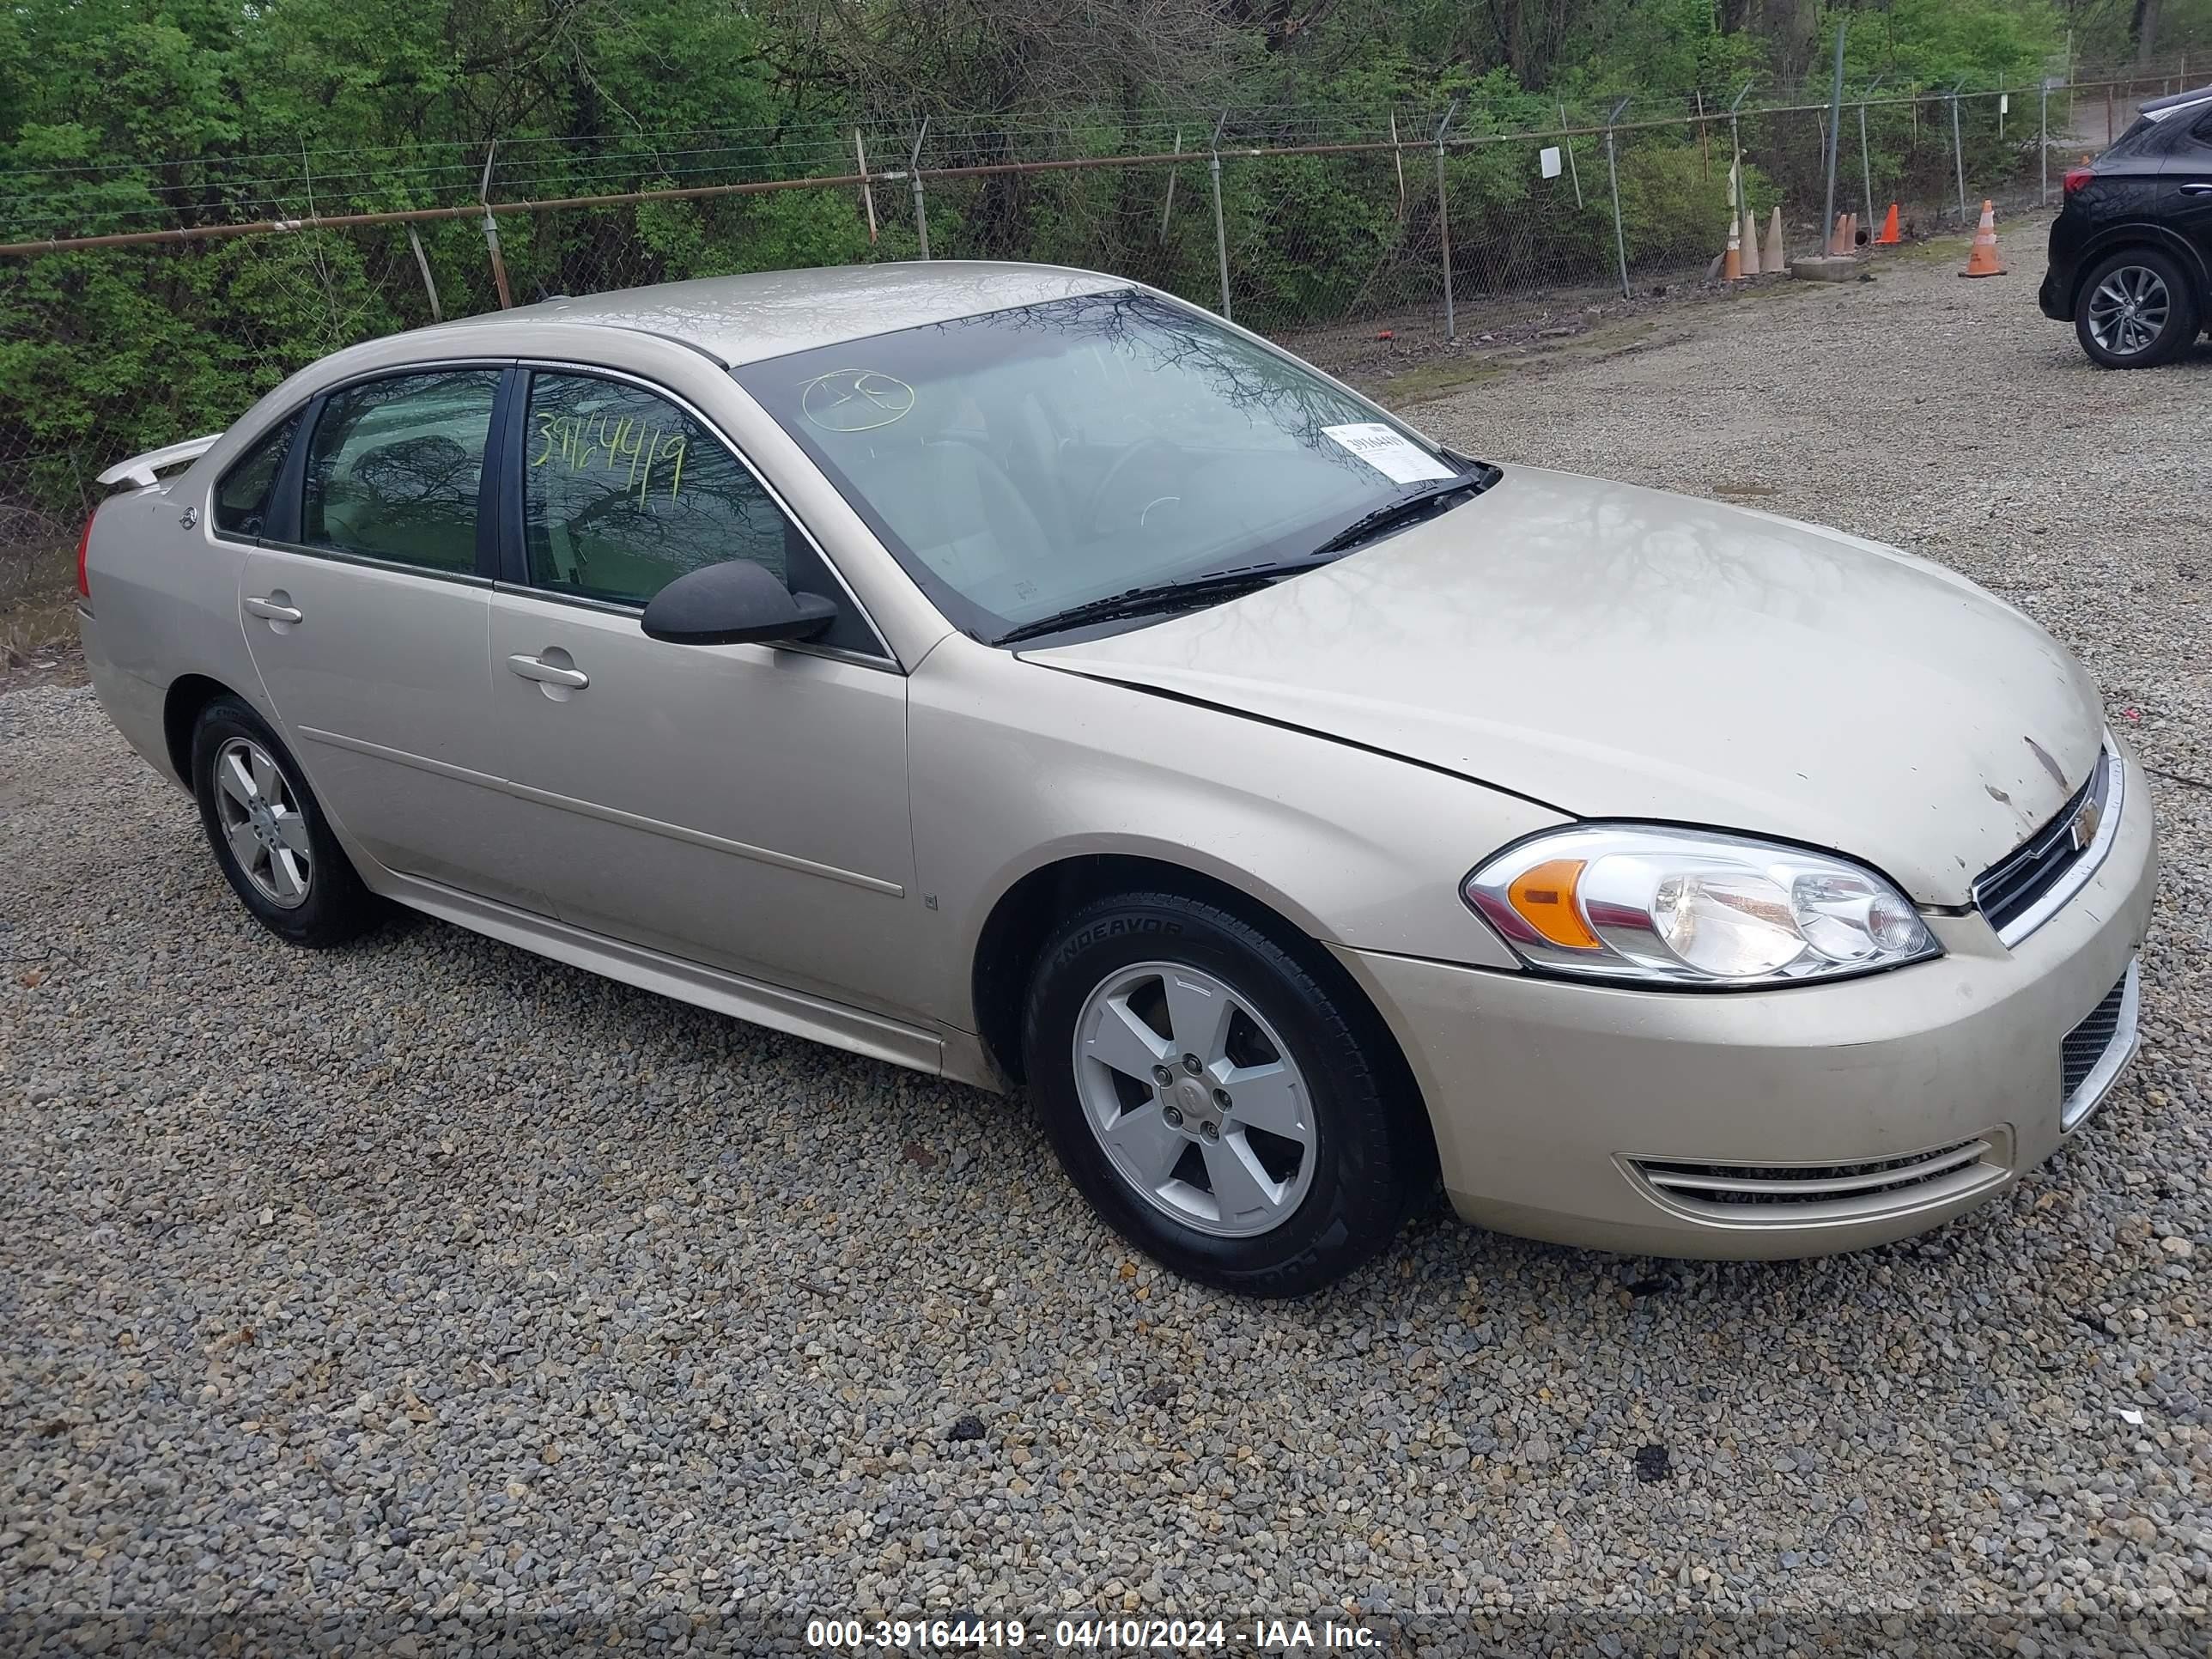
1032, 461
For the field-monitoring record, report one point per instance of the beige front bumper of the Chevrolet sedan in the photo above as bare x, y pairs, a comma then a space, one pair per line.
1773, 1123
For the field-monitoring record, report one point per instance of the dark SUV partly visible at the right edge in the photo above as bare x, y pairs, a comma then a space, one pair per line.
2131, 251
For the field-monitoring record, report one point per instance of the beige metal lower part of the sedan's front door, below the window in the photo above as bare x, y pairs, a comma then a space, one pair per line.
733, 806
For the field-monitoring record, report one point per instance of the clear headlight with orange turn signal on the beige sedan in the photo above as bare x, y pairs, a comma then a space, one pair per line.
1693, 908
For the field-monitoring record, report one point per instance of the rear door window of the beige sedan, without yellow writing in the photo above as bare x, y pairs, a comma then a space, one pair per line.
397, 466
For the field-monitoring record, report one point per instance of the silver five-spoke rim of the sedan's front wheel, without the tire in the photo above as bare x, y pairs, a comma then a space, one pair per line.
1196, 1100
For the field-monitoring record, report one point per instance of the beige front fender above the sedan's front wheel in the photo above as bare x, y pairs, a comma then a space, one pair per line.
1019, 766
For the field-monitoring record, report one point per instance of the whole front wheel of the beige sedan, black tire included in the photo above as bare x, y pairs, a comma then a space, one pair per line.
1222, 1107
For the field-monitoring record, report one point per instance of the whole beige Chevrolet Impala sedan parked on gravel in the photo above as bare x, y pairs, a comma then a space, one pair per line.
1027, 678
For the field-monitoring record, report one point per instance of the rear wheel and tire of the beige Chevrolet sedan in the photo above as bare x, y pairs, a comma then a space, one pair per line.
269, 833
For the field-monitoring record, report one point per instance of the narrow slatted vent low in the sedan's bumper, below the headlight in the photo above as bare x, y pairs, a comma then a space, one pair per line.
1795, 1193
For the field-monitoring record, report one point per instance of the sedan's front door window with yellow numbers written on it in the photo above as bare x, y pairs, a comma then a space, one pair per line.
623, 494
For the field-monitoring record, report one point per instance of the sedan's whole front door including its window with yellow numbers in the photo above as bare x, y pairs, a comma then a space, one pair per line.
735, 806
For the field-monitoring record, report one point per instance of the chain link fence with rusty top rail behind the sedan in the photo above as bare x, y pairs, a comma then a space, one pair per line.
140, 313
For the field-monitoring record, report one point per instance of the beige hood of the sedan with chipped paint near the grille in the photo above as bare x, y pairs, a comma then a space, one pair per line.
1627, 654
